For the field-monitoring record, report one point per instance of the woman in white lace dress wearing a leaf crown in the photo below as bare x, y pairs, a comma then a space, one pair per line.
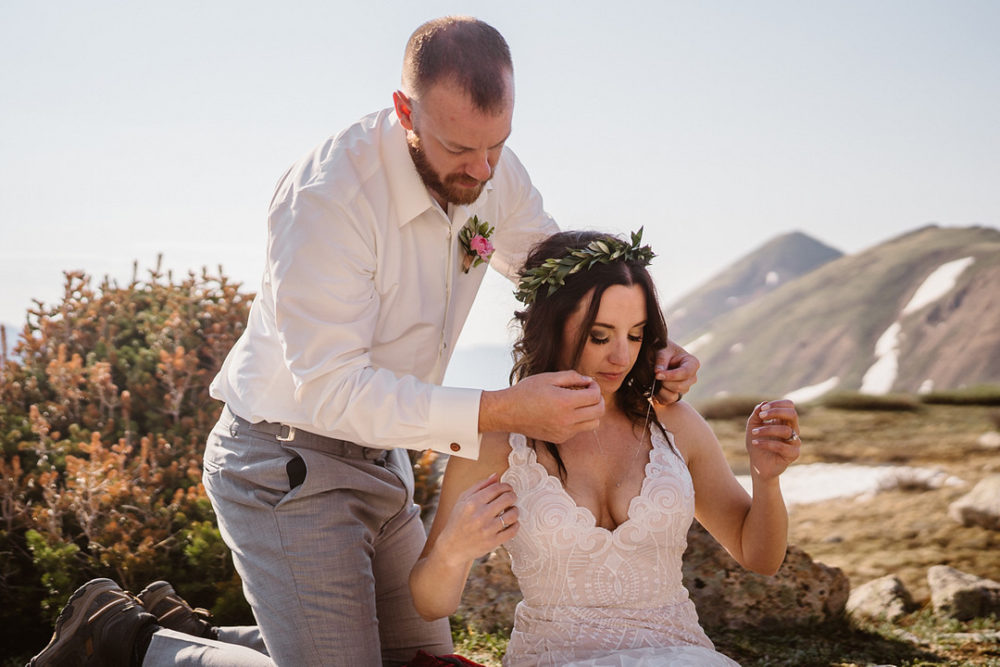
596, 526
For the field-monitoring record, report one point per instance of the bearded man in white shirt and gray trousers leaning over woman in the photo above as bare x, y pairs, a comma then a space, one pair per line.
373, 242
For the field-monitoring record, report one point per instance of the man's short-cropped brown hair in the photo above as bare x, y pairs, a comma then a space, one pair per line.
470, 52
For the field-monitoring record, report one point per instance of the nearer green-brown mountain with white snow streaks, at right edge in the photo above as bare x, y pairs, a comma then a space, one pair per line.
918, 312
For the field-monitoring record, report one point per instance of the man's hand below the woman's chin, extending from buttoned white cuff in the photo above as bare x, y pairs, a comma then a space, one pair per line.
548, 406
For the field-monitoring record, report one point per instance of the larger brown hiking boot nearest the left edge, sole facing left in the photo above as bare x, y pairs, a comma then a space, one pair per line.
98, 626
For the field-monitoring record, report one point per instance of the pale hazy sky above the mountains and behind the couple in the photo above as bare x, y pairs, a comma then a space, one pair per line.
133, 129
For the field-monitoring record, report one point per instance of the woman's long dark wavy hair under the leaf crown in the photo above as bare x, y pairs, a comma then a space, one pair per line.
538, 348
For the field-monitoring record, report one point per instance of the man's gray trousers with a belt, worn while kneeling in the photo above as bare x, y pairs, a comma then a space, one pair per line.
326, 564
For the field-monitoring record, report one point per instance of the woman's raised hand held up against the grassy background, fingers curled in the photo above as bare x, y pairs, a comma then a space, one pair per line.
772, 439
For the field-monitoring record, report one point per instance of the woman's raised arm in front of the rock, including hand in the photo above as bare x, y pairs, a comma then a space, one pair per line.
753, 530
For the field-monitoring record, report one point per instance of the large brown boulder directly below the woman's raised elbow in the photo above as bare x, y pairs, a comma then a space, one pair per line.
803, 592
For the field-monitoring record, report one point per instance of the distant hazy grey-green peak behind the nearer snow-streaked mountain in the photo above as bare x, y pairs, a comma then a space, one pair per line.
774, 264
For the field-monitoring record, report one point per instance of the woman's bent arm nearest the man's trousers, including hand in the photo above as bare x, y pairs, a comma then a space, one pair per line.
466, 526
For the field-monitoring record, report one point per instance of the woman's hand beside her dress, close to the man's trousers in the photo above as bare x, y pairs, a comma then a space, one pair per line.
483, 518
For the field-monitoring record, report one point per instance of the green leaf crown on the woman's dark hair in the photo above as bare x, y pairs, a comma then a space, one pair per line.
553, 271
